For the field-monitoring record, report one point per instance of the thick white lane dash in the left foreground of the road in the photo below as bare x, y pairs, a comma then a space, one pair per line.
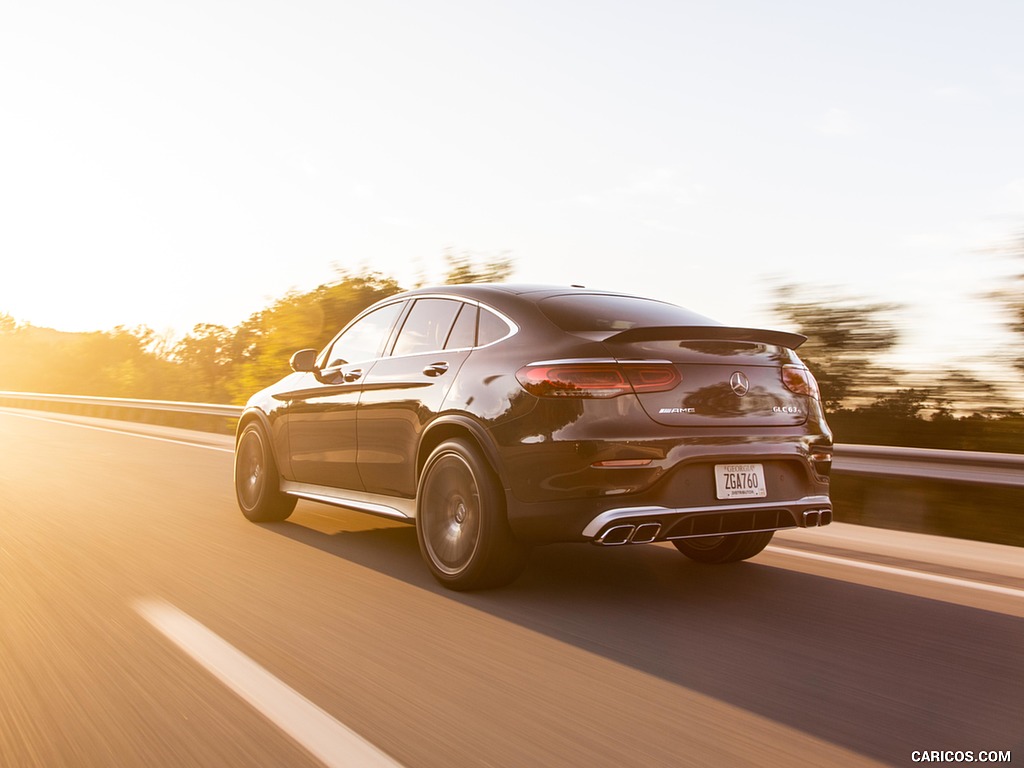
331, 742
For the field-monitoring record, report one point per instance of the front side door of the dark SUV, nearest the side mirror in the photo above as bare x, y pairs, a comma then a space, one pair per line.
322, 423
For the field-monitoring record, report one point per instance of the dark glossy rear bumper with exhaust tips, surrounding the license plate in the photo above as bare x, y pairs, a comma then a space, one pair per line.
594, 474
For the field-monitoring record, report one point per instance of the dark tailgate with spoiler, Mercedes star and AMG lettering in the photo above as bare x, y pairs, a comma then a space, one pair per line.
729, 377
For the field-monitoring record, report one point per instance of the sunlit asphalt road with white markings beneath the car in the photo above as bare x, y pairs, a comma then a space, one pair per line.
145, 622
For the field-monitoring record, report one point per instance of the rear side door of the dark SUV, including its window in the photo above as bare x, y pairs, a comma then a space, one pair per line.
406, 391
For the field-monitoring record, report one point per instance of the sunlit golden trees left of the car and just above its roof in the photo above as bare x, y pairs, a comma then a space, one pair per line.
212, 363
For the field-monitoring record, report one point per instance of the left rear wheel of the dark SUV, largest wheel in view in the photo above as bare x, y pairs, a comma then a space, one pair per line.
461, 522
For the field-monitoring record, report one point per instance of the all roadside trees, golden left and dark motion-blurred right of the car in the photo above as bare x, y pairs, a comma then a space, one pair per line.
867, 401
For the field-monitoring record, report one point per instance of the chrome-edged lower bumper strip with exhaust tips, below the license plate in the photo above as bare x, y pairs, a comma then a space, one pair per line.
646, 525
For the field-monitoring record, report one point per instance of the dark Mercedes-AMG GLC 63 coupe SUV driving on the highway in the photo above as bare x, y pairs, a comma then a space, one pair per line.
498, 417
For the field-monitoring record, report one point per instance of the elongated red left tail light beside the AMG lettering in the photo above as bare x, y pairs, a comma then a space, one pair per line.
599, 379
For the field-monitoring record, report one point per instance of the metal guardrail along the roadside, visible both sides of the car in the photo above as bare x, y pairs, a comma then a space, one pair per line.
878, 461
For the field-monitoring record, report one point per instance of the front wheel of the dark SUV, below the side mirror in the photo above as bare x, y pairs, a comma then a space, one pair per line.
258, 485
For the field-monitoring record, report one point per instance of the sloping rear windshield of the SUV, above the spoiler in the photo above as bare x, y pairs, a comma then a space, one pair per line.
592, 313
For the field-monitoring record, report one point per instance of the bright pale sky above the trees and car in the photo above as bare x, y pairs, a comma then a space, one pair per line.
174, 163
